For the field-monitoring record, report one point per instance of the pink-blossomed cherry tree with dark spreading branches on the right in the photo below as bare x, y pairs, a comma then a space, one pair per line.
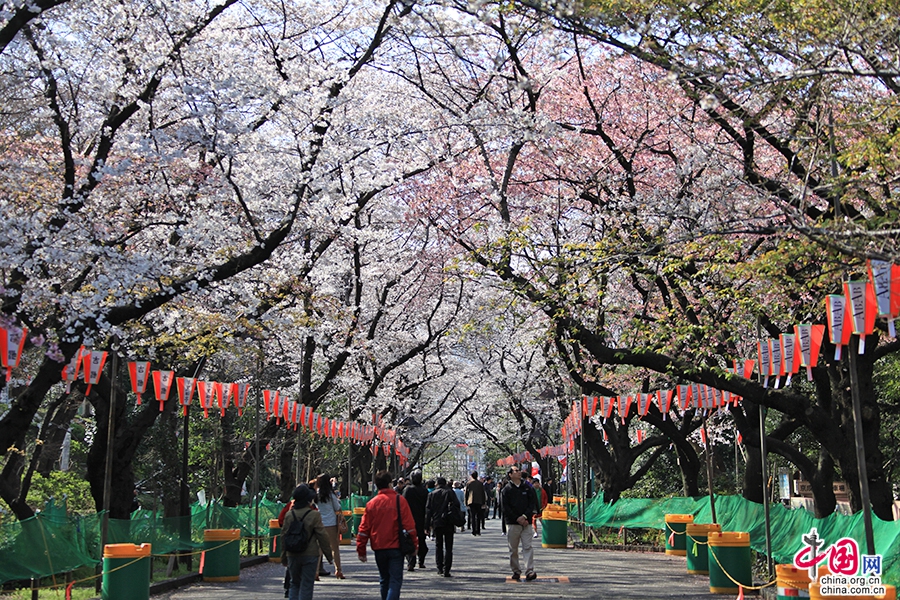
652, 230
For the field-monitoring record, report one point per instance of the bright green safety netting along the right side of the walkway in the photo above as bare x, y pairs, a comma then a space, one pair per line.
734, 513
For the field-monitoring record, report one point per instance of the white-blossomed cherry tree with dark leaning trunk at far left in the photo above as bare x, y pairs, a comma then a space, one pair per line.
177, 173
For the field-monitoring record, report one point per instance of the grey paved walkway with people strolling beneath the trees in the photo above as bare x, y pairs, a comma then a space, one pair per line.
481, 571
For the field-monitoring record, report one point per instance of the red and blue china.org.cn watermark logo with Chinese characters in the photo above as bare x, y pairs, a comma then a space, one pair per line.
850, 573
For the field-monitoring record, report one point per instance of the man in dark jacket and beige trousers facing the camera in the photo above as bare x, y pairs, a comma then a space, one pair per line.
519, 505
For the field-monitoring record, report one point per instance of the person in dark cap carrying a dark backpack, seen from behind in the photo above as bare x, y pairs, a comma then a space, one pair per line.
303, 565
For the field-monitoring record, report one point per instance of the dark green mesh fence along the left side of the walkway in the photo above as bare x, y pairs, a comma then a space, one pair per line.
53, 542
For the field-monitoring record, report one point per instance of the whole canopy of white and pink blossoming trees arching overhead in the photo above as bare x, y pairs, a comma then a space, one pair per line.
461, 216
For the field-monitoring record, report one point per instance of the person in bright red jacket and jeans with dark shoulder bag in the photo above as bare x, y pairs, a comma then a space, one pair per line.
381, 527
